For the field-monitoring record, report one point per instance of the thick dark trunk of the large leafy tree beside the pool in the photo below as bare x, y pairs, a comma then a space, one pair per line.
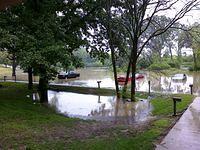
43, 85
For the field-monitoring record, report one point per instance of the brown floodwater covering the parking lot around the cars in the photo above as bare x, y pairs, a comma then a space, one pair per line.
159, 83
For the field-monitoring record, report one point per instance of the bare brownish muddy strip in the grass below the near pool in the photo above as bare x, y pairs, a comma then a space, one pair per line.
83, 130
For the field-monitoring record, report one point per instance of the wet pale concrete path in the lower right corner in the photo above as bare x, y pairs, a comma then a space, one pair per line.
185, 135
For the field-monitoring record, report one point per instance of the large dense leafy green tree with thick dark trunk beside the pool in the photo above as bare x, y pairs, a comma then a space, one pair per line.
47, 37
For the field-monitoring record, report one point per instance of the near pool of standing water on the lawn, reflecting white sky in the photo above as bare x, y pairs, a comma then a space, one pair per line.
101, 108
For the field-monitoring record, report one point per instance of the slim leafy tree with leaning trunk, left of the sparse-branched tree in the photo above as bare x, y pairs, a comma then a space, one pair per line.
103, 36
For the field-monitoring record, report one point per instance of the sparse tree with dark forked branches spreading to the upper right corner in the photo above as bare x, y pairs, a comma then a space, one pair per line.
134, 19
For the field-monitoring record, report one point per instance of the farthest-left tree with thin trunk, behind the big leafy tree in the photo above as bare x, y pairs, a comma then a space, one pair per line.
10, 41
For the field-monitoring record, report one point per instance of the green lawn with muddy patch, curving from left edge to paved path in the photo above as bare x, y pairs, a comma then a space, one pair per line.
25, 125
